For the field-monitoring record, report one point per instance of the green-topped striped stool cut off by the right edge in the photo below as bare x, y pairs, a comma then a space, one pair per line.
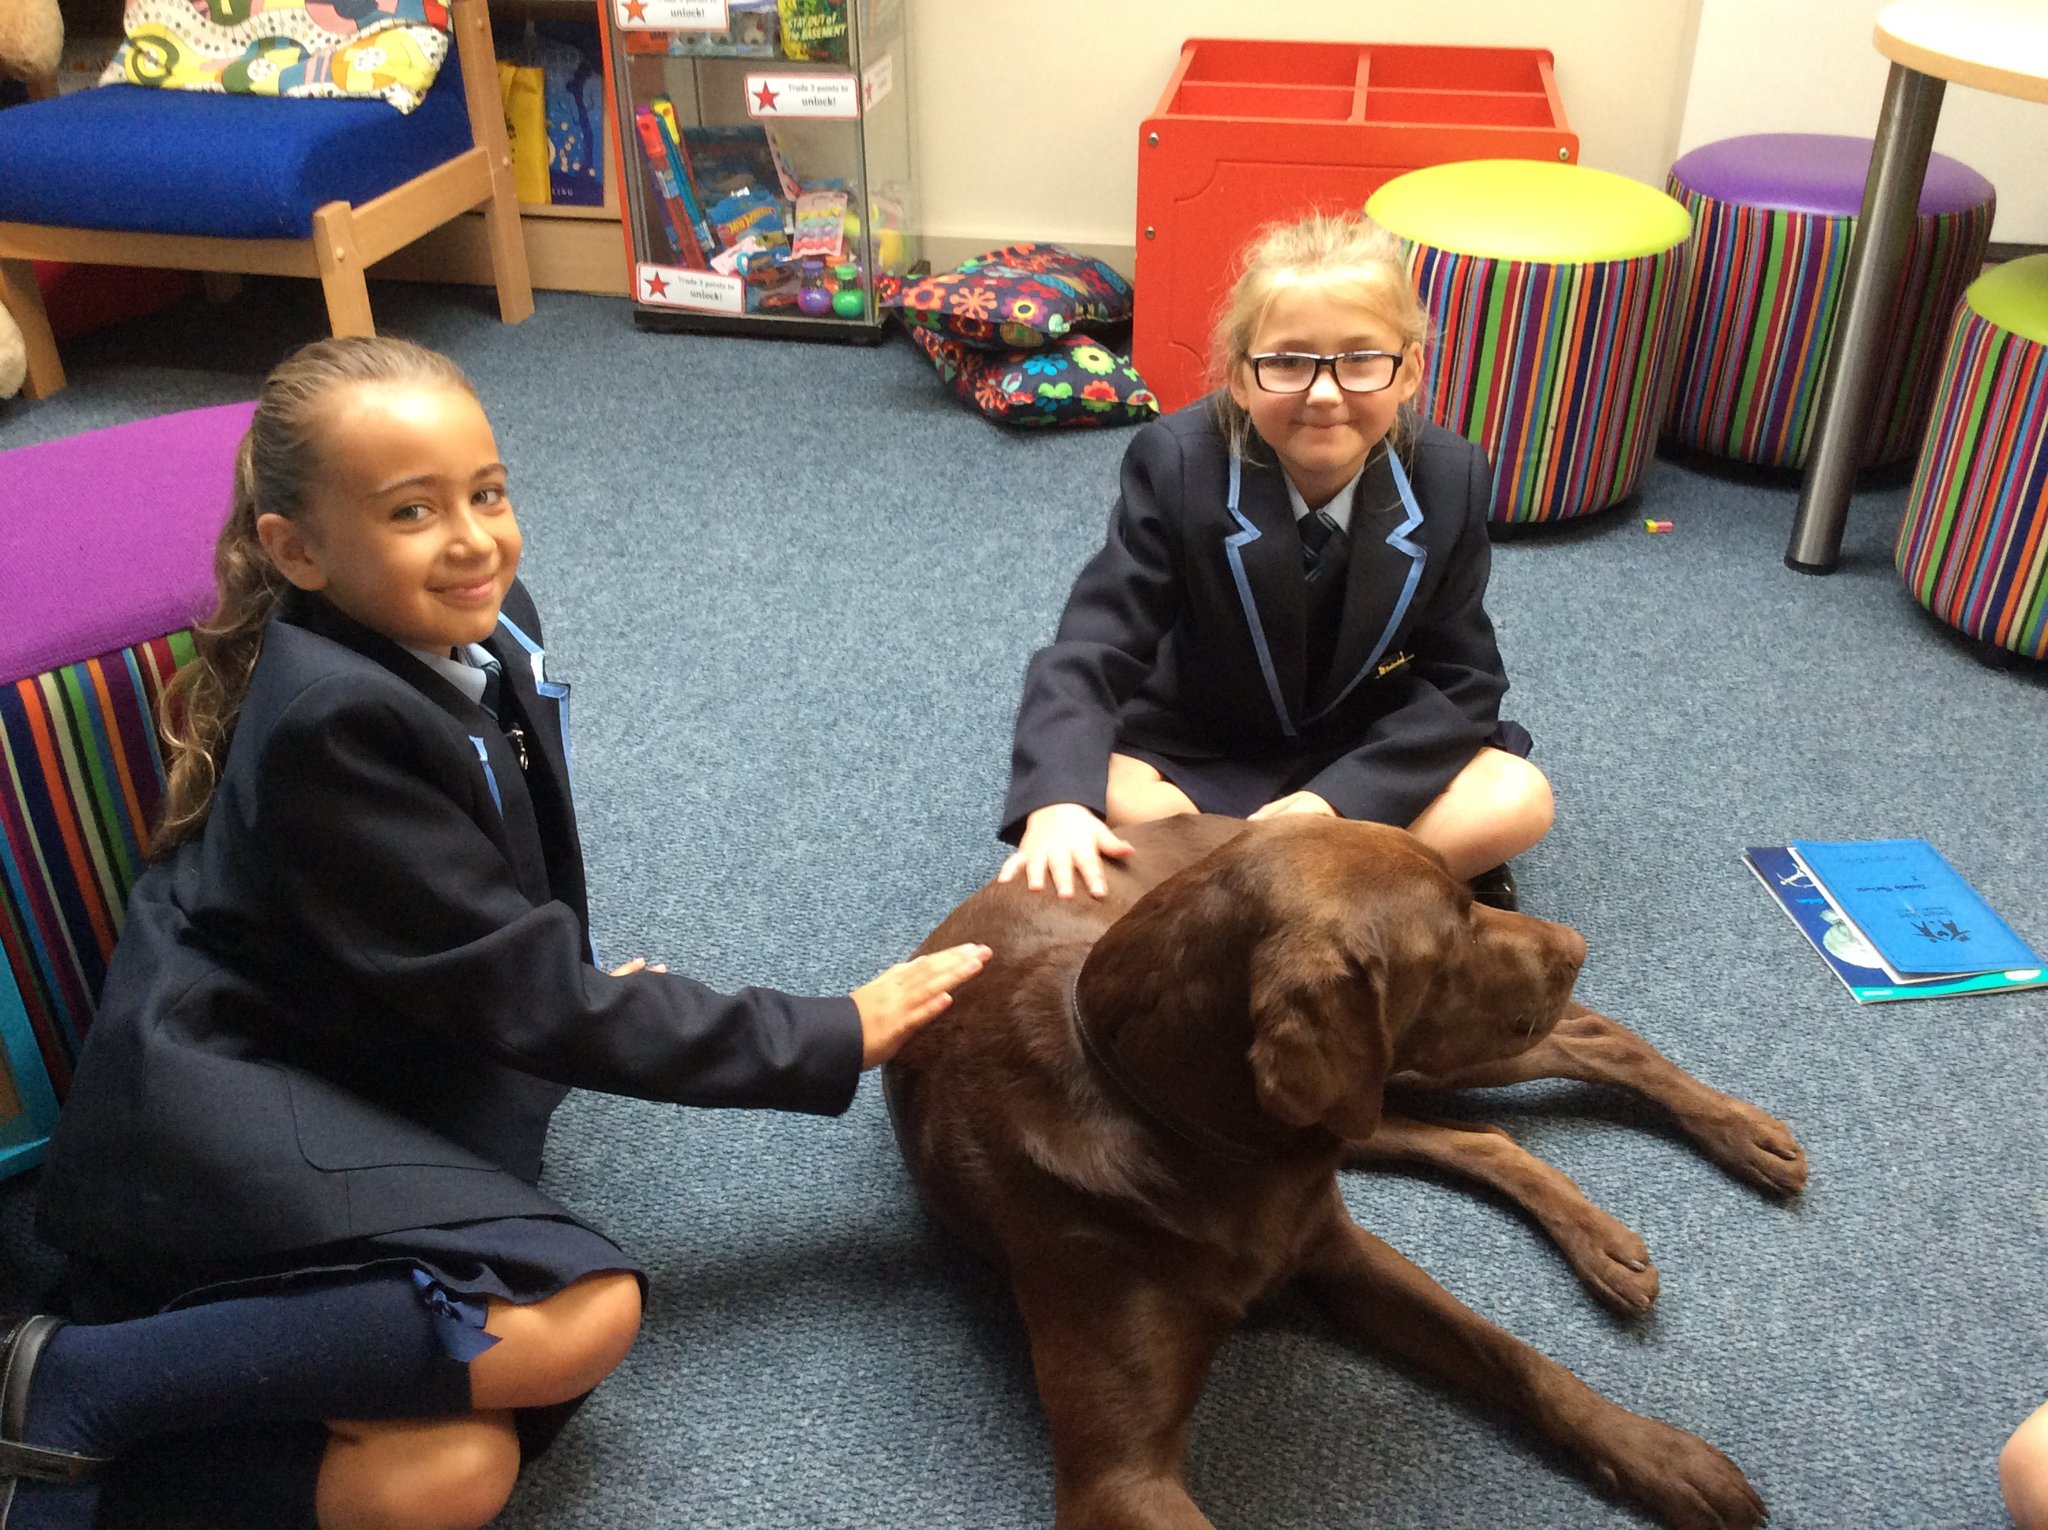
1973, 546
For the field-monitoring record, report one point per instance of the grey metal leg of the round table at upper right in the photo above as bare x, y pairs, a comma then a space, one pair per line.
1891, 200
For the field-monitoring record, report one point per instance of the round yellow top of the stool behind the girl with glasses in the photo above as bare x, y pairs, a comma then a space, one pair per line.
1529, 210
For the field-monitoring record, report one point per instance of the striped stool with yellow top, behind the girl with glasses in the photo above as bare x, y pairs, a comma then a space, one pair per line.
1551, 290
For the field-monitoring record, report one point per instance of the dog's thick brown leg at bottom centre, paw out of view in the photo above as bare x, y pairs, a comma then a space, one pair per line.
1121, 1367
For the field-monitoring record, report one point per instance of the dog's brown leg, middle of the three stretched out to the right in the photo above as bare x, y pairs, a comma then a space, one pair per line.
1607, 1255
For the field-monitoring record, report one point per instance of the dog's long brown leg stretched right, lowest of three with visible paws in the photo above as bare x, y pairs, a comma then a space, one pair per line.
1381, 1300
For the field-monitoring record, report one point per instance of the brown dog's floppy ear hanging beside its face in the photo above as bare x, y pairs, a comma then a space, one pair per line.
1320, 1050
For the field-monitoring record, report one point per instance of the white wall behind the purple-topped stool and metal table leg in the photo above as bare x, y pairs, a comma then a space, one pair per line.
1809, 67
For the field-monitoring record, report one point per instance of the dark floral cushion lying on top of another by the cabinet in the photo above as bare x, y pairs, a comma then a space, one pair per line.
1019, 298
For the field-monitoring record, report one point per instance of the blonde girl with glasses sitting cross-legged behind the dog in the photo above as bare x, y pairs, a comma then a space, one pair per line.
1289, 611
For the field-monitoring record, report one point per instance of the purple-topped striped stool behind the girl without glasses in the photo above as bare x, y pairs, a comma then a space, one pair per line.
105, 560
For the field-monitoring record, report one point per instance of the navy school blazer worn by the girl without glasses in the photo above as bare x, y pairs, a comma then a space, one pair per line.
353, 1003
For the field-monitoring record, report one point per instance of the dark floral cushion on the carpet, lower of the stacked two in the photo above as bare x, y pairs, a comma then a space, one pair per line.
1074, 382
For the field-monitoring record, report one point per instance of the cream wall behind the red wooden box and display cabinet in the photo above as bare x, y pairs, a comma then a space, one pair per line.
1029, 114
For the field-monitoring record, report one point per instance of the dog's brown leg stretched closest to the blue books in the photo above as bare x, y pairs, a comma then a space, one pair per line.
1594, 1050
